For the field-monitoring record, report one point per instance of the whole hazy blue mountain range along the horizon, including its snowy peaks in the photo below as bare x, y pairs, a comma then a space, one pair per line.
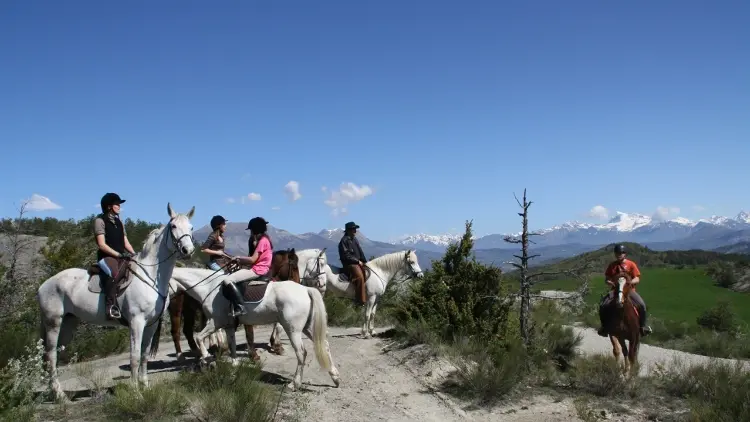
554, 243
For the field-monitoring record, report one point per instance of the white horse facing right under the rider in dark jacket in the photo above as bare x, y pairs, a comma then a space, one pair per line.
380, 271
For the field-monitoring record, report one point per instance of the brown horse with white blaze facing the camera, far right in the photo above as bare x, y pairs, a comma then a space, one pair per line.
624, 324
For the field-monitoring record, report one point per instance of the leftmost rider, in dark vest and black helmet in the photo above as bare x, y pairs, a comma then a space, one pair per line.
111, 240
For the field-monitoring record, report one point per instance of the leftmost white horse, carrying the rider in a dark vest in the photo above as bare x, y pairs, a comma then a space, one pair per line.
64, 299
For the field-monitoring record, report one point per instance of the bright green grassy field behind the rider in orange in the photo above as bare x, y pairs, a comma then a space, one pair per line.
677, 295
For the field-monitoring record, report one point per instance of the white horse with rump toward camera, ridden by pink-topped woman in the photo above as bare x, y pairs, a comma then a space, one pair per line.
299, 309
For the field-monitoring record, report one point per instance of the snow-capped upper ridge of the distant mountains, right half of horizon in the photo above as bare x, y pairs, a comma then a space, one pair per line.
622, 227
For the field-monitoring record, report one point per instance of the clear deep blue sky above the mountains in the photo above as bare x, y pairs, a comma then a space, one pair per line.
442, 109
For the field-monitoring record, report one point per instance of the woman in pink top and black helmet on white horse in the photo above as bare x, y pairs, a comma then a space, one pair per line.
260, 255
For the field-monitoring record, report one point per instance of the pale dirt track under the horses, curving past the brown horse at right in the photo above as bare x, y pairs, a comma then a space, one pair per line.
375, 385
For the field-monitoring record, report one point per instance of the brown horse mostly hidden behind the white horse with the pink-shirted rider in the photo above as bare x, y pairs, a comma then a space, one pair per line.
185, 309
